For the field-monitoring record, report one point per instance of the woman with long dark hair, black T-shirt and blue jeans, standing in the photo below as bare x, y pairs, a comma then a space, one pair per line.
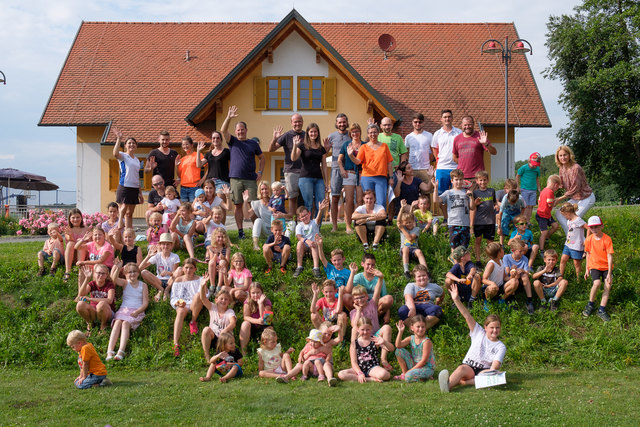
312, 182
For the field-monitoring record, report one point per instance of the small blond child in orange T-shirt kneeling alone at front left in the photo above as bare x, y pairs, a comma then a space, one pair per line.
93, 373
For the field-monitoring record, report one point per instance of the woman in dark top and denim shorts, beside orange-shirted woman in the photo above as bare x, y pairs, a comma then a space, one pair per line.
350, 173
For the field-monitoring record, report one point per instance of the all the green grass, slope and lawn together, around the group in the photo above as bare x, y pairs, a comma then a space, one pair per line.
559, 364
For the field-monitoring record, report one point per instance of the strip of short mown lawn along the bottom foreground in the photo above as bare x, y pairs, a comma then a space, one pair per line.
556, 397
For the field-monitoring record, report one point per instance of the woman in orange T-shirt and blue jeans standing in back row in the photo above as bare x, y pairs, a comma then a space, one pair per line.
377, 165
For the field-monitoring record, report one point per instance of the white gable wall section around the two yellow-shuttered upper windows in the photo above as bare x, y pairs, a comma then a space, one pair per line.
294, 57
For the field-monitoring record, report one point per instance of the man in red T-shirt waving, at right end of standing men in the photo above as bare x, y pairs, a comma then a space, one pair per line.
469, 148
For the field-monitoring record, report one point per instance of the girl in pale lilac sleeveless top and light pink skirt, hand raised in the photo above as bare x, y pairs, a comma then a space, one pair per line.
135, 300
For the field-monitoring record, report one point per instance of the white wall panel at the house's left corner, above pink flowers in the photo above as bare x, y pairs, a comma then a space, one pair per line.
88, 177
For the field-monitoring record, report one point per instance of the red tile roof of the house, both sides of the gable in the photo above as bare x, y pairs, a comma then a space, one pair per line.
136, 76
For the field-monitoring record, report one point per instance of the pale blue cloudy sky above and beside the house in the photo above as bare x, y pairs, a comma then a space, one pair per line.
37, 35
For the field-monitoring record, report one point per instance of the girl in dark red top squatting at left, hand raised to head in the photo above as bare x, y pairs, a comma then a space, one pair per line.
96, 297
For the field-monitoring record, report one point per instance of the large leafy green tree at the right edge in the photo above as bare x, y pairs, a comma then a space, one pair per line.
595, 53
